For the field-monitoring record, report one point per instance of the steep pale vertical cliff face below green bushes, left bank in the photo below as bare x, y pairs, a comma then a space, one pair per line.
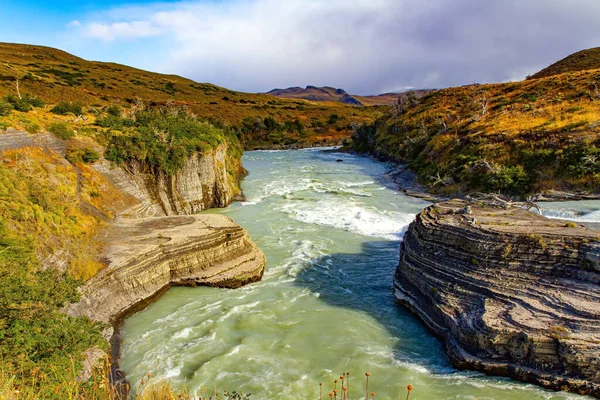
207, 180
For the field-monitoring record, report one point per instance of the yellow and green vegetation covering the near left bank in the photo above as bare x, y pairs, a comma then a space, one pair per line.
38, 343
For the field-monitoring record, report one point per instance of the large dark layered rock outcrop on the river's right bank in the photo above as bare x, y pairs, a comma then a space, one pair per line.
510, 292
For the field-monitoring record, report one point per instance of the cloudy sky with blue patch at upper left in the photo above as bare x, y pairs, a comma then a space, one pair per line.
362, 46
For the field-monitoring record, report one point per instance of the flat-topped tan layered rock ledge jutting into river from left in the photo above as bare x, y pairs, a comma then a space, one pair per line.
146, 256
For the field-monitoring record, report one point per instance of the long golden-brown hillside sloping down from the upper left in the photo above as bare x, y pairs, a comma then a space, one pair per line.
261, 120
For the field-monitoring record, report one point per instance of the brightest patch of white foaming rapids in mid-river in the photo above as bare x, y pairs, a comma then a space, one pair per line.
350, 217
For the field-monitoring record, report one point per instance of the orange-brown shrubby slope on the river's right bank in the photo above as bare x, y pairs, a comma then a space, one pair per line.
535, 135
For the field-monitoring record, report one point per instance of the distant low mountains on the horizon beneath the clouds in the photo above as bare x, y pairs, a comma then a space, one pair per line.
327, 93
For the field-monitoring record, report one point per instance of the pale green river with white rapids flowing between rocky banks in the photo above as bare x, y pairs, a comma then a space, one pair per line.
331, 232
